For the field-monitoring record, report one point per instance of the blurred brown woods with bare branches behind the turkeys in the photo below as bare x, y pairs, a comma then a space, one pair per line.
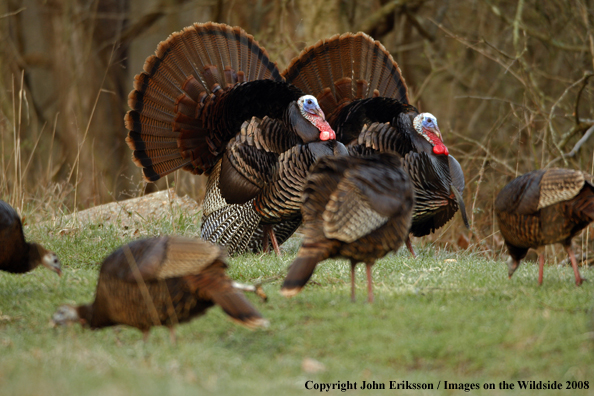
508, 80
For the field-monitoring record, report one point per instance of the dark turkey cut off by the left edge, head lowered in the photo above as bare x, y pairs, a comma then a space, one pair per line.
16, 255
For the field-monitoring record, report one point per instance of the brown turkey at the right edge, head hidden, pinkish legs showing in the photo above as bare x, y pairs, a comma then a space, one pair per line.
544, 207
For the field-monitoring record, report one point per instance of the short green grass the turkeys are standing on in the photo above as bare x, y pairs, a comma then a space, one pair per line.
443, 316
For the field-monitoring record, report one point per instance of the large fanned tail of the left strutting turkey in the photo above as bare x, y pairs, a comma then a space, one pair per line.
169, 125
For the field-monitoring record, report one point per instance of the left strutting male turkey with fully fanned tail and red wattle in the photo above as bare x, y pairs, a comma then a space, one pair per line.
211, 101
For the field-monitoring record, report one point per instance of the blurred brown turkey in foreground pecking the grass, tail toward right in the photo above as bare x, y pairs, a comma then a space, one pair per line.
161, 281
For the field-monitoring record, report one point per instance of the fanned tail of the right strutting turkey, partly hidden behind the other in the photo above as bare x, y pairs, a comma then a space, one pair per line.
344, 68
